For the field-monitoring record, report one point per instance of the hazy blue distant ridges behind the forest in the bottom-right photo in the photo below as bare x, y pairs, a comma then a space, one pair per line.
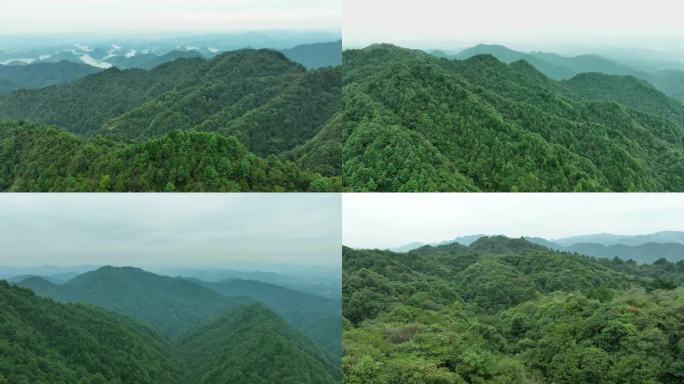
646, 249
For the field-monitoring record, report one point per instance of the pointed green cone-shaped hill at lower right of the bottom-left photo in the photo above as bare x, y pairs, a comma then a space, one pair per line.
253, 345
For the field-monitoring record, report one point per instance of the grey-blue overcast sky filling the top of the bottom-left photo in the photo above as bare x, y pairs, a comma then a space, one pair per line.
170, 229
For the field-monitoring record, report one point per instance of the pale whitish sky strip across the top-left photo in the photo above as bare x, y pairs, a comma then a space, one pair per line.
59, 16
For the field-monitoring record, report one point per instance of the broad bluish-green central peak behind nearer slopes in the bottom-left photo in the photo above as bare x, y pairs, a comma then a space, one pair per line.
170, 305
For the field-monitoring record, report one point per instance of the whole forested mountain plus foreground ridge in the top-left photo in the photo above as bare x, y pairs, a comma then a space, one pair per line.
248, 120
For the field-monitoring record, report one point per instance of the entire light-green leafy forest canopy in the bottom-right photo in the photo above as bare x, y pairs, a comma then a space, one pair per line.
509, 311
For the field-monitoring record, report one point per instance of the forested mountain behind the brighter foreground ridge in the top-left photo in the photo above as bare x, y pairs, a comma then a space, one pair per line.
268, 101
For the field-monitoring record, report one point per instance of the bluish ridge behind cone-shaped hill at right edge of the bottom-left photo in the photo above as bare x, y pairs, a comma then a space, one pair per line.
316, 317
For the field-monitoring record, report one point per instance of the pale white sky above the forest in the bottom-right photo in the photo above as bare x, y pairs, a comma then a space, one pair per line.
390, 220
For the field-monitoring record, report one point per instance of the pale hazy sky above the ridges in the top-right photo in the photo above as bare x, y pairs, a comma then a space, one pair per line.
524, 24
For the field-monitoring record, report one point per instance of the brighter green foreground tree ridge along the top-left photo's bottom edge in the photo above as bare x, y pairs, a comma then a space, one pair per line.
36, 158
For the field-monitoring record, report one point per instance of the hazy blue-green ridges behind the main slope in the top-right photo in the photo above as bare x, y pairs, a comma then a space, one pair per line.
563, 68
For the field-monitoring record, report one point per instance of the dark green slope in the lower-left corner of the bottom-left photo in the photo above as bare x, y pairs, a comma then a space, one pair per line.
44, 342
